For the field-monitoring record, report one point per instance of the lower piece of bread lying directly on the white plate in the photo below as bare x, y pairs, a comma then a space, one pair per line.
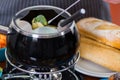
101, 54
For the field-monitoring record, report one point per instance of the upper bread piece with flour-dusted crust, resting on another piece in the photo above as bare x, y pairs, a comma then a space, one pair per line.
100, 30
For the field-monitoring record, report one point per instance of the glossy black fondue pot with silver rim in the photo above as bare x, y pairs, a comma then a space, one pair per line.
39, 50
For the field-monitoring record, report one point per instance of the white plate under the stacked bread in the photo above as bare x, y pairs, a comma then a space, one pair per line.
89, 68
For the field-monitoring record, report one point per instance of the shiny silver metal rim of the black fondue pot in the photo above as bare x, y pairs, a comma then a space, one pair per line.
38, 35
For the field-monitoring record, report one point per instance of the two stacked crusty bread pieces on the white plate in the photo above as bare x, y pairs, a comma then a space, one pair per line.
100, 42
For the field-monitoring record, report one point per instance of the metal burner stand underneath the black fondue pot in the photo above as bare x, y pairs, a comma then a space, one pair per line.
16, 71
